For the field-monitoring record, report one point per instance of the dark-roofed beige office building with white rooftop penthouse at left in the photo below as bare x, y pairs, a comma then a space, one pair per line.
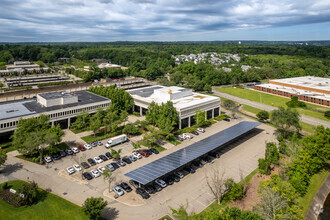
61, 107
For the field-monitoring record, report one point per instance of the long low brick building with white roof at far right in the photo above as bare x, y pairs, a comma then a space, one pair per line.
307, 88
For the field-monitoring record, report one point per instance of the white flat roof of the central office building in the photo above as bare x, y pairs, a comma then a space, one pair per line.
147, 94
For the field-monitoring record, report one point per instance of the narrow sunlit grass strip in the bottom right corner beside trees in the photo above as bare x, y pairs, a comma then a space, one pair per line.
315, 184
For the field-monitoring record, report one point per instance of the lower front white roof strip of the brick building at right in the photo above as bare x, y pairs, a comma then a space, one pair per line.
295, 91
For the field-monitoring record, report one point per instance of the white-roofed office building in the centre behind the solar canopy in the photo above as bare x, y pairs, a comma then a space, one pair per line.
184, 100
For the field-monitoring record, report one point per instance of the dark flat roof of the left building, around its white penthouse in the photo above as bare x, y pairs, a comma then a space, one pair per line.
26, 107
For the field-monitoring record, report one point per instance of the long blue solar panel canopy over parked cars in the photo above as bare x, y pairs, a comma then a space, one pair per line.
175, 160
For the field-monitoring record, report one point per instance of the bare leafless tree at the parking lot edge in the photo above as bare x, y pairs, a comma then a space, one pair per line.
216, 182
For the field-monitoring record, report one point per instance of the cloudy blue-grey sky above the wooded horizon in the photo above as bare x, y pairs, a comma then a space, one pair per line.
163, 20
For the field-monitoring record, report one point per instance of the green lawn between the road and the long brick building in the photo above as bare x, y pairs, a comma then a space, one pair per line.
277, 101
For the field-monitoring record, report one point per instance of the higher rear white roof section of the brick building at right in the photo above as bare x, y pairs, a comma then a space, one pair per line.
322, 83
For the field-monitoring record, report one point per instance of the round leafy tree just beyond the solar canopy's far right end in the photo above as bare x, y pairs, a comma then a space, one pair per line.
285, 119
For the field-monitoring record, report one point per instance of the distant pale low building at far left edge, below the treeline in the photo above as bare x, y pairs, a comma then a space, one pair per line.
20, 67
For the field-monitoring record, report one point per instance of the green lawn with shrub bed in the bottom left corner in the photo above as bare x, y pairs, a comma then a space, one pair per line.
52, 207
